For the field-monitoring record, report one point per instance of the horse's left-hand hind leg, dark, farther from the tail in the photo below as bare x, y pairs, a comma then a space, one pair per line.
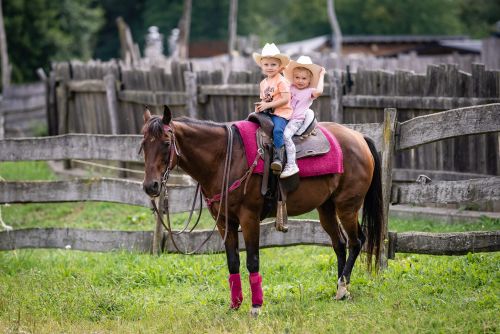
328, 219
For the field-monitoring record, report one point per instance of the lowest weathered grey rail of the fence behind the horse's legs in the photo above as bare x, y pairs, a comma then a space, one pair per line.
300, 233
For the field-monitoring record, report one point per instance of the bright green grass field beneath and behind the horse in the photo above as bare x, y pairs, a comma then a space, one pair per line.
59, 291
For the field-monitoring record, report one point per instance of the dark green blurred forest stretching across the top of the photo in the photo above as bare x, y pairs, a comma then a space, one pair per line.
41, 31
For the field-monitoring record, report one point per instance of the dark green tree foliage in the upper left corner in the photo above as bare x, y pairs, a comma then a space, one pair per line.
41, 31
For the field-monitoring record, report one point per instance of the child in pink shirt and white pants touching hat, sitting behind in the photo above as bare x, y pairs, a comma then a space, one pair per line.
307, 84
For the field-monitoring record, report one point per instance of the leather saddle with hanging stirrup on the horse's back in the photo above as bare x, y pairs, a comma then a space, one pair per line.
310, 143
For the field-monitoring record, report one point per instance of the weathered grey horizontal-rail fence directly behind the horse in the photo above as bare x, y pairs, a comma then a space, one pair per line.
389, 136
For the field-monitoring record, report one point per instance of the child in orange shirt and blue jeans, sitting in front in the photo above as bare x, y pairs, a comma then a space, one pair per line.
275, 97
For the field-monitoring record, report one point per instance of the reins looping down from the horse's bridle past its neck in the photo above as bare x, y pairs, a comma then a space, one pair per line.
222, 197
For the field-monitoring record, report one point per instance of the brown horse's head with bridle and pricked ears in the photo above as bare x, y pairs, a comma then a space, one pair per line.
159, 150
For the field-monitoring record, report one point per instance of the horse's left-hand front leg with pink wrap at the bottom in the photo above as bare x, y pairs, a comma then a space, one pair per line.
233, 261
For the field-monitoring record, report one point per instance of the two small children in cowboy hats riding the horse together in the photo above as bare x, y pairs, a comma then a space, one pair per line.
287, 100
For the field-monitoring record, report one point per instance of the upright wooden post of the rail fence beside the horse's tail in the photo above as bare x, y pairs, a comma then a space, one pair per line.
387, 156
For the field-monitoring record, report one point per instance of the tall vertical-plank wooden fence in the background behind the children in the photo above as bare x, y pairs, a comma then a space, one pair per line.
105, 98
